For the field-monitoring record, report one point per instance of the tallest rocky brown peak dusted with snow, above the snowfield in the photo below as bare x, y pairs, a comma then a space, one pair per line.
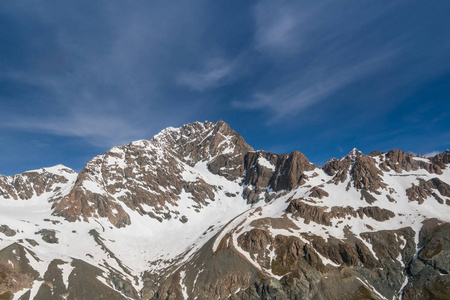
156, 174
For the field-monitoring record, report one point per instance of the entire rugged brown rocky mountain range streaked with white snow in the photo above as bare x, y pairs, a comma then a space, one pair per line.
197, 213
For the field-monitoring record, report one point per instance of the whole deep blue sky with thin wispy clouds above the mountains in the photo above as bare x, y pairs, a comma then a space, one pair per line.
321, 77
